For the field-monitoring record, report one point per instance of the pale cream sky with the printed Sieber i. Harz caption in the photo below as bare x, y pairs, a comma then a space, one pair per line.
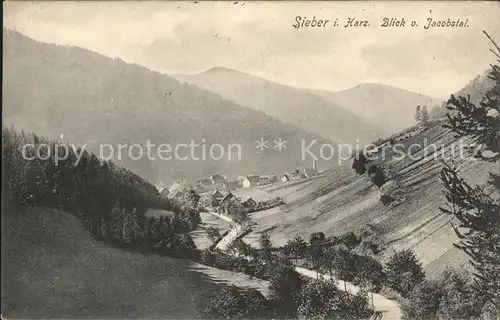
258, 38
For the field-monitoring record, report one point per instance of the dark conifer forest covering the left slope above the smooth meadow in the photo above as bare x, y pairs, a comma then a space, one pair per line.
109, 200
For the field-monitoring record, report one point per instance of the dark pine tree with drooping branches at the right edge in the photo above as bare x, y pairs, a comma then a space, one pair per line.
478, 213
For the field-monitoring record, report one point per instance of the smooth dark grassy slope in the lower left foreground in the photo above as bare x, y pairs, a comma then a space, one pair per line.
56, 270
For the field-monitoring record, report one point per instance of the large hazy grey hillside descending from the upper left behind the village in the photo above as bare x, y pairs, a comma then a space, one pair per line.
86, 98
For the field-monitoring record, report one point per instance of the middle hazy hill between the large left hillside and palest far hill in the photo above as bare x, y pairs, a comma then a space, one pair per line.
294, 106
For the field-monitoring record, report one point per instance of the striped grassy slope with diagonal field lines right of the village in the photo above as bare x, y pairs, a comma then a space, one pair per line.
339, 201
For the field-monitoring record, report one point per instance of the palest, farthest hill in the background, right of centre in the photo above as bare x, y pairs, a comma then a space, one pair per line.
380, 104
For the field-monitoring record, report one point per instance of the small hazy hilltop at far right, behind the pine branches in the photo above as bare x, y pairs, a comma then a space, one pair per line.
476, 88
